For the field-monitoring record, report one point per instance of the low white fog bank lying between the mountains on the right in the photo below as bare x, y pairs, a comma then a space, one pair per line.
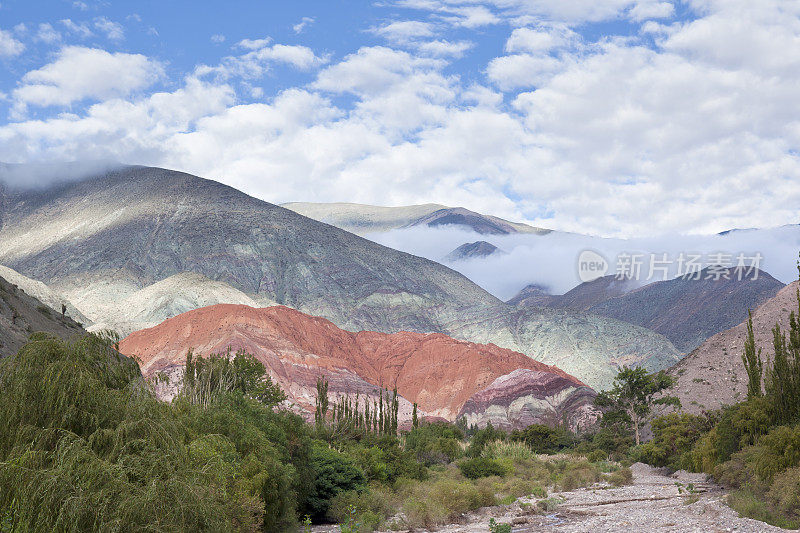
551, 260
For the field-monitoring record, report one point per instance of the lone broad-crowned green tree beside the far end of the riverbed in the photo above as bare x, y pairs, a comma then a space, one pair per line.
633, 396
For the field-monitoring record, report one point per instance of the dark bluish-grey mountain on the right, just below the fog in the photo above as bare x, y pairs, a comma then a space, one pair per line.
689, 311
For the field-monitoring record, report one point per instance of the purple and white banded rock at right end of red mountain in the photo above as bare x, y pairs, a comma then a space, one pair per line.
524, 397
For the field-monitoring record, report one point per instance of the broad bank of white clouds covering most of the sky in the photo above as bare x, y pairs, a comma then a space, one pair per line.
693, 128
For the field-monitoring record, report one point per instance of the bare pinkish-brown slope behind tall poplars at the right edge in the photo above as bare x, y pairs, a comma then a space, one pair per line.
713, 374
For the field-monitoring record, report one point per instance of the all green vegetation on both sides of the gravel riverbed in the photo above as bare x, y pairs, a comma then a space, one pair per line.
86, 446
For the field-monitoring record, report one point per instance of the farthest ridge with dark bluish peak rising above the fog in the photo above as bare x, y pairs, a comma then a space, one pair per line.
362, 219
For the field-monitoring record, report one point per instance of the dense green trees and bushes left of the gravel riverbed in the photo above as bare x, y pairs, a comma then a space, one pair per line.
86, 446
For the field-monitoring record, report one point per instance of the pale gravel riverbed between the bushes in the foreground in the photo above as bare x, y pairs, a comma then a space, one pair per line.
653, 502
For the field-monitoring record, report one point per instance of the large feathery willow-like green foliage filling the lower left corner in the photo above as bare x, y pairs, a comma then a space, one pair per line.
84, 446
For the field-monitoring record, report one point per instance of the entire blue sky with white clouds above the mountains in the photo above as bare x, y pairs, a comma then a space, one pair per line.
617, 118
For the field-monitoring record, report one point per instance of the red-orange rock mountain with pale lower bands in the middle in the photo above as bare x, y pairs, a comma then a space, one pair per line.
439, 373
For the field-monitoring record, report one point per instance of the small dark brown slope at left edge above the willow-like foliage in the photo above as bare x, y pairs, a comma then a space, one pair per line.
22, 314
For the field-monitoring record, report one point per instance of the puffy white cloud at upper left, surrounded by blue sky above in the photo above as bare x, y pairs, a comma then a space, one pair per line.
79, 73
